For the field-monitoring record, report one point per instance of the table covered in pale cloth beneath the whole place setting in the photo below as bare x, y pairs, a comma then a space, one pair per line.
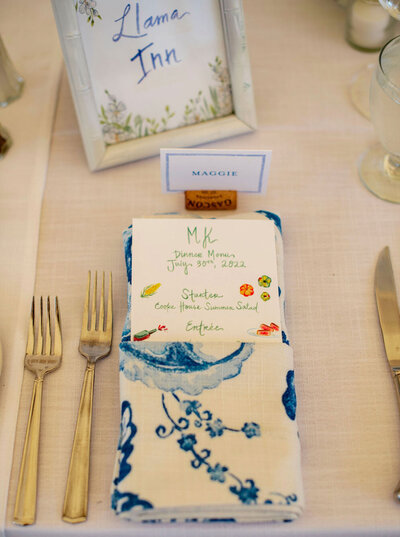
58, 220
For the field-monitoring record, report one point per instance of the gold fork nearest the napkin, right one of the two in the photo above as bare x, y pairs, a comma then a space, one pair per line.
95, 343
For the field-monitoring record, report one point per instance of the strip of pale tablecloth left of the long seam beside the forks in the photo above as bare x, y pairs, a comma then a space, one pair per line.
31, 40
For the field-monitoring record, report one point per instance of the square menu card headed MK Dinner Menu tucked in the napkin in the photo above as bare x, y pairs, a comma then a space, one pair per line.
204, 280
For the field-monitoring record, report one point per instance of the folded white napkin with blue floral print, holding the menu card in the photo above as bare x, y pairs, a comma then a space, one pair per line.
208, 431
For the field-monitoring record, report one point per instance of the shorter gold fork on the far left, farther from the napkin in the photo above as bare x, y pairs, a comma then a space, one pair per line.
43, 355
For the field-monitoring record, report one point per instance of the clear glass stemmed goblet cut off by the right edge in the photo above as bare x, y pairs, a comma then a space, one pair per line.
379, 167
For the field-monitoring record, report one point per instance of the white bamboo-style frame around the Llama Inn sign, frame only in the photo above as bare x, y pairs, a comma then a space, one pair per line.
101, 155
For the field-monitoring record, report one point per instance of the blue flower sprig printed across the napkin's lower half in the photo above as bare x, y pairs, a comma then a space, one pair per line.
193, 416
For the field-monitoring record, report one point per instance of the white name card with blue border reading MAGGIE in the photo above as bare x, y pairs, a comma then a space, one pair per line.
212, 169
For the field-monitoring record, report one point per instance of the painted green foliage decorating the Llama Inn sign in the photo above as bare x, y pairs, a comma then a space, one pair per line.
119, 126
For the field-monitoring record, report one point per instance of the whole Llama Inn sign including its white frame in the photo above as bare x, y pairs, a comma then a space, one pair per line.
155, 73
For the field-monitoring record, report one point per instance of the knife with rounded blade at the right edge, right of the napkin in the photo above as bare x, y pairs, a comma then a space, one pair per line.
389, 317
